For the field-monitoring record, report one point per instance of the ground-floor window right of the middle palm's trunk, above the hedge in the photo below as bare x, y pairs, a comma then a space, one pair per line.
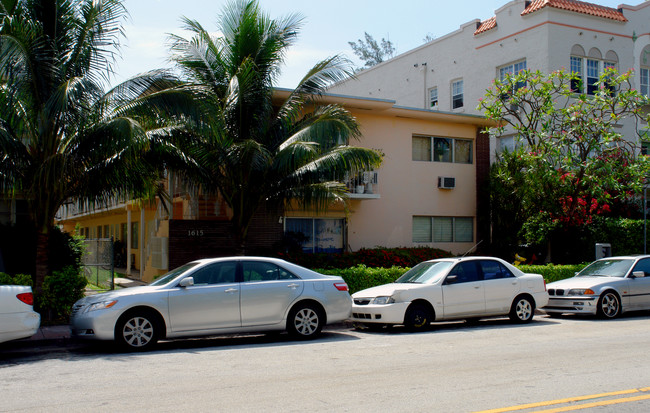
315, 234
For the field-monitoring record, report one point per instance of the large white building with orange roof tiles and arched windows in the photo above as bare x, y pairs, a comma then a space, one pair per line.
452, 72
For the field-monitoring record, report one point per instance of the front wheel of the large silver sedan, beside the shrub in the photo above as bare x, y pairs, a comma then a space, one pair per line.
137, 330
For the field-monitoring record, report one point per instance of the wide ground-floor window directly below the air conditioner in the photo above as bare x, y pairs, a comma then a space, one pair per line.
443, 229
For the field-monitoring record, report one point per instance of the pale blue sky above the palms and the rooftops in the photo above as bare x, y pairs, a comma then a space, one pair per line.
327, 28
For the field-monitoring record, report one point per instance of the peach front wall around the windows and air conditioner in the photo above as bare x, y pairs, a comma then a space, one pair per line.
408, 187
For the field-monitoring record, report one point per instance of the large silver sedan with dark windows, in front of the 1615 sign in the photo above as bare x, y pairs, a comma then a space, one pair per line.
216, 296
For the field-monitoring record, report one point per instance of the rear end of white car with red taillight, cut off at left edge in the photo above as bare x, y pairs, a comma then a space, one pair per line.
17, 316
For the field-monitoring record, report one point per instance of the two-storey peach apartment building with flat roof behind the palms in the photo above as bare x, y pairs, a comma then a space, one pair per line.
424, 194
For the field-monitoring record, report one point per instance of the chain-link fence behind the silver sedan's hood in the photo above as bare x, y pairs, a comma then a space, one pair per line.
98, 262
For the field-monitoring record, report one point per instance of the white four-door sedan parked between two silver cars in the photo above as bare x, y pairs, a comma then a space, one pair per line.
450, 289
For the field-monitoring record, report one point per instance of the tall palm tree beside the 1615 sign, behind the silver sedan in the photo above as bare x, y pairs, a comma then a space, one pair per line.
252, 148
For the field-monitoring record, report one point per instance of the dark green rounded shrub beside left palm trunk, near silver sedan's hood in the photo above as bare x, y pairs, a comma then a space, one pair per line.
60, 291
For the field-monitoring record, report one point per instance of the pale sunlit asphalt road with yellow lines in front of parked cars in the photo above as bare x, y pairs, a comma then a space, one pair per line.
455, 367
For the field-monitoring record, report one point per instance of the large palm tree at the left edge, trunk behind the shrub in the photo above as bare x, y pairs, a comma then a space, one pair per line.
62, 136
